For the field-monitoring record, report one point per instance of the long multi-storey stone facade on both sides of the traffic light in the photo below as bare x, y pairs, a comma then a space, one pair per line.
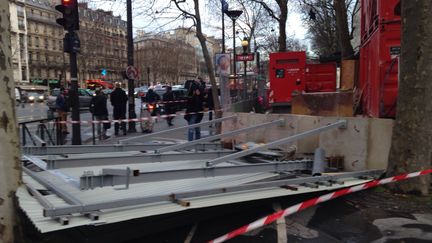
37, 44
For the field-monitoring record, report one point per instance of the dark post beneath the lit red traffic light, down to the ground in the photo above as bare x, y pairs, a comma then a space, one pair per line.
73, 96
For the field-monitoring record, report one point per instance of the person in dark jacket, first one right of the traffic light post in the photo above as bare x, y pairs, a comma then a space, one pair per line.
99, 109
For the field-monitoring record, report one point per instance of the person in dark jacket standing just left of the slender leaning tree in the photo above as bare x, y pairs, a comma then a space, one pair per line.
194, 112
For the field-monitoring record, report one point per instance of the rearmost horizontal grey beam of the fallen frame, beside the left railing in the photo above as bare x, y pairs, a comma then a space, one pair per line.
106, 148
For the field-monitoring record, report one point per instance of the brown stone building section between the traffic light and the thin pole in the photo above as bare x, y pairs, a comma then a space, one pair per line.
103, 39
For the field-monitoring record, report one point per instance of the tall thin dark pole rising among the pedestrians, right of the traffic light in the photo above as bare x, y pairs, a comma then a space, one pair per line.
132, 114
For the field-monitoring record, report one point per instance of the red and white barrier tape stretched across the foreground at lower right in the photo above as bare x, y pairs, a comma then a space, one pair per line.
314, 201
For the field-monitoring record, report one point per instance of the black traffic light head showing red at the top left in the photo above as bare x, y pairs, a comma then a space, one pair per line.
69, 9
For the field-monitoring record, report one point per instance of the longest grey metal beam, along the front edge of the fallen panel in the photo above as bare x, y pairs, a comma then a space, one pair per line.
125, 202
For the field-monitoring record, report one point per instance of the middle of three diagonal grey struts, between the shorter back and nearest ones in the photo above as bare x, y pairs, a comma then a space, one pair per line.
211, 138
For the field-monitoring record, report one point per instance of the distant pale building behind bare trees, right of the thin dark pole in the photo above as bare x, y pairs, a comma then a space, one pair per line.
172, 57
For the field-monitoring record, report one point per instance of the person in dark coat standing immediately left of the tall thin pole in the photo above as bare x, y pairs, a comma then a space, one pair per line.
119, 102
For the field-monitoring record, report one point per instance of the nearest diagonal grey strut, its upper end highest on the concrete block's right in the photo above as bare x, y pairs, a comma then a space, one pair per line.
341, 123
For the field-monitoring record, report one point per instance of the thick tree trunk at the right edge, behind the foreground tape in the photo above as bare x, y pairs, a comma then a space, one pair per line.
411, 142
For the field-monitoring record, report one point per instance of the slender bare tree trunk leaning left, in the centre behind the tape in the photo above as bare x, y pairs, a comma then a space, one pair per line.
208, 61
